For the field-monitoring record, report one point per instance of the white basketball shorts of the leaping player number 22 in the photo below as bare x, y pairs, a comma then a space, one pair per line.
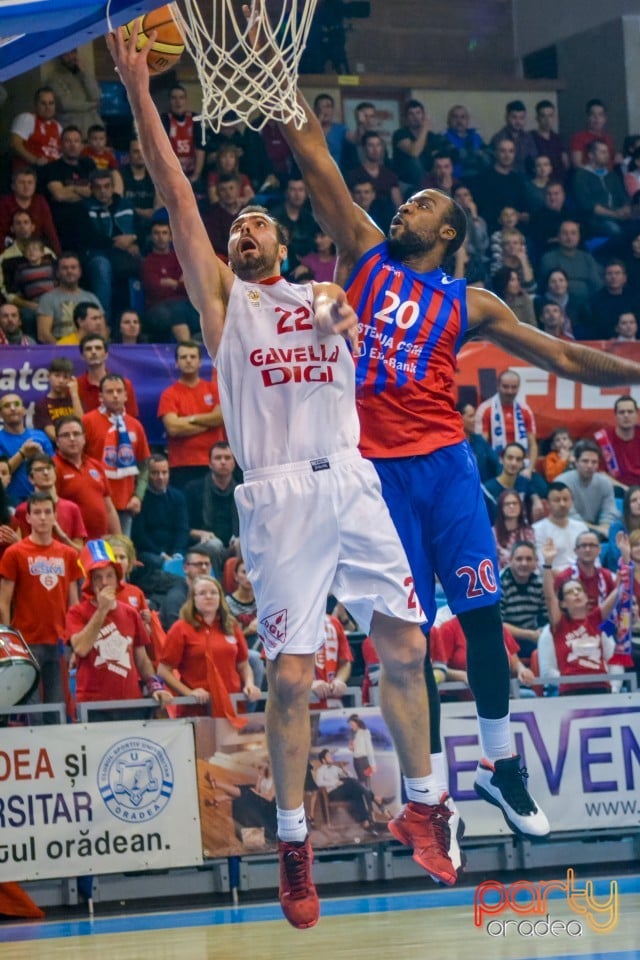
315, 528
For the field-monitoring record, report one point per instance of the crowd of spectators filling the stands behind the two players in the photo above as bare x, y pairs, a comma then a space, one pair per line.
86, 259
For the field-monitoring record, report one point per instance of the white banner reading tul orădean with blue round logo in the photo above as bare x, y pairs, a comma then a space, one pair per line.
100, 798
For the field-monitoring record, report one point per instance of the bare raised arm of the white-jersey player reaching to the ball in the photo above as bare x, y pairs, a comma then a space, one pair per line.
206, 278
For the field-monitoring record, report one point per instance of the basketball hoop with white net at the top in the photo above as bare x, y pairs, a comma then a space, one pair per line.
253, 80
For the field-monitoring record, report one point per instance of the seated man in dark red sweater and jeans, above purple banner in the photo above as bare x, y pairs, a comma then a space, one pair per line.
168, 310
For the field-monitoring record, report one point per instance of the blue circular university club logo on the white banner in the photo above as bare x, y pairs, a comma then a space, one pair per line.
135, 779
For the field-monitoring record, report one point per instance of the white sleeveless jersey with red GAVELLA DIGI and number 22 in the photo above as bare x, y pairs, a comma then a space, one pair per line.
287, 393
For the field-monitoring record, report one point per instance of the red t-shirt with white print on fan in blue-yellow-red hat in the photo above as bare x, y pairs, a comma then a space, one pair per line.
108, 671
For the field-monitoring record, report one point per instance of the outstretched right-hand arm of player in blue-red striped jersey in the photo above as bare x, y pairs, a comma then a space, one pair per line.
492, 319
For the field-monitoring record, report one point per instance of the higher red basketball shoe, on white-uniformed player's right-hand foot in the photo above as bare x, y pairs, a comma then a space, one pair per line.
426, 829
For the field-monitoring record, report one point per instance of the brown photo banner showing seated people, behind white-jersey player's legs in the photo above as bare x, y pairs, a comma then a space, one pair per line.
348, 800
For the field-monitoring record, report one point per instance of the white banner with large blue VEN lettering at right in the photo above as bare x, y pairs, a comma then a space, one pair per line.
582, 755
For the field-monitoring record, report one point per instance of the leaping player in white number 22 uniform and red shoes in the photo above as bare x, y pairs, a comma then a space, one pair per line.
287, 389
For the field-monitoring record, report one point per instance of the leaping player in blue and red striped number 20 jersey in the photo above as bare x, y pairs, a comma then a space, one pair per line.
414, 319
